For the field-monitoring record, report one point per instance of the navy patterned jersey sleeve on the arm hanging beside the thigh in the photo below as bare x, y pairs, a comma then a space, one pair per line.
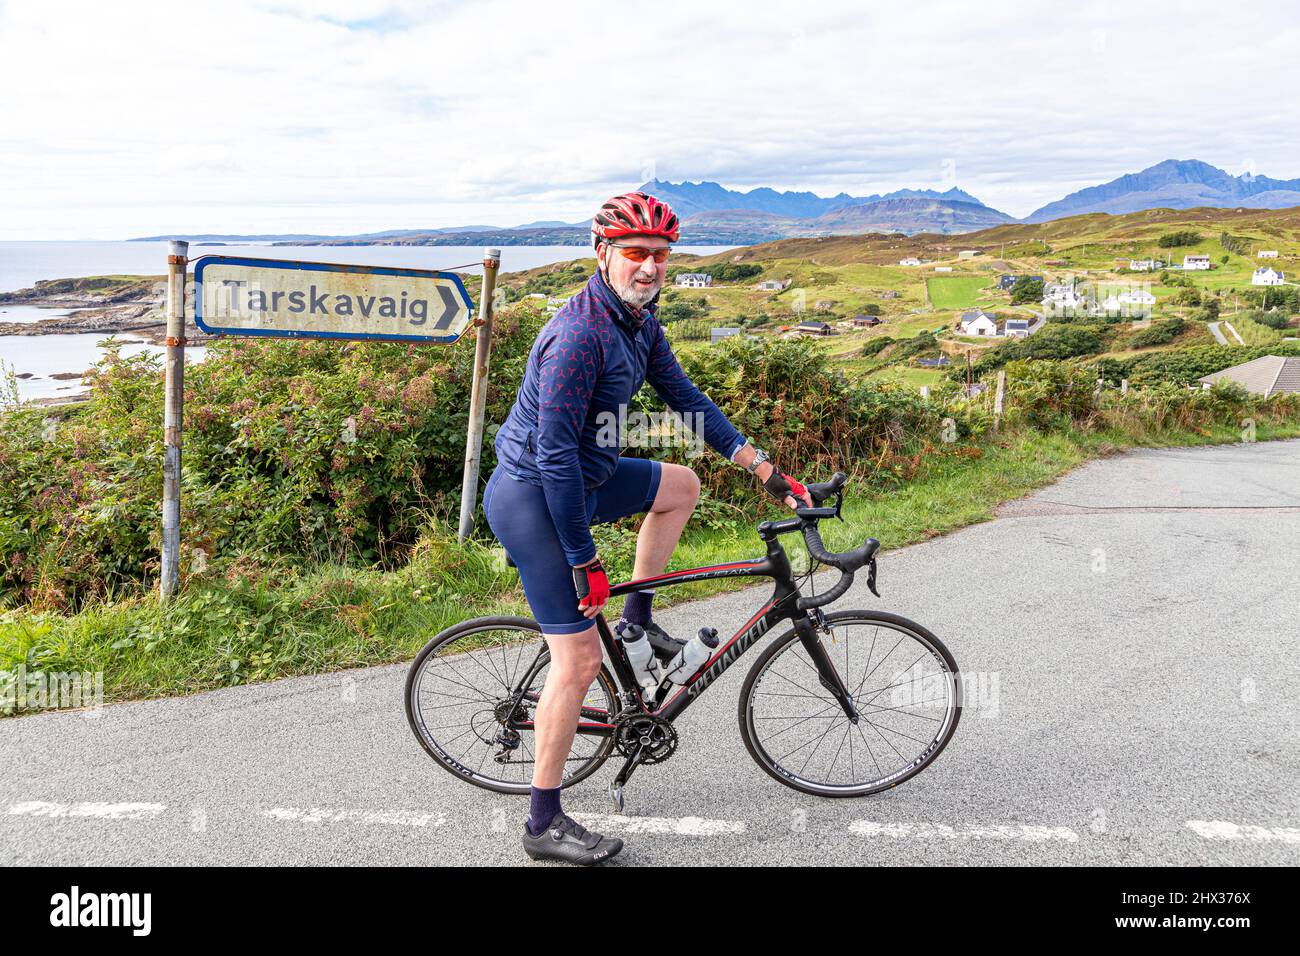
567, 373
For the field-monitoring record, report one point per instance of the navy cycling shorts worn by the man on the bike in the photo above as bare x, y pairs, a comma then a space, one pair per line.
519, 518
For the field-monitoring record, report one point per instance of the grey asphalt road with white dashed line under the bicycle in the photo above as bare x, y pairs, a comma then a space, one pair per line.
1132, 629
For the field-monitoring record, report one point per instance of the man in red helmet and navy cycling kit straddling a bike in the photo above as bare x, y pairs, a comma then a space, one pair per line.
558, 473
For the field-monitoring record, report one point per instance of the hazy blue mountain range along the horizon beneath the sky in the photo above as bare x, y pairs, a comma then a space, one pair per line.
716, 215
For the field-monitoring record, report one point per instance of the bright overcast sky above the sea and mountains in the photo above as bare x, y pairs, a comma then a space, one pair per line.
344, 116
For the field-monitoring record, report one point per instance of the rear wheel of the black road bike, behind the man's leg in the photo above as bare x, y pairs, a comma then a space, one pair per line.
470, 686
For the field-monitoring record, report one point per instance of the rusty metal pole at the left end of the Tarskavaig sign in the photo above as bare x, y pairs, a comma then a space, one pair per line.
172, 418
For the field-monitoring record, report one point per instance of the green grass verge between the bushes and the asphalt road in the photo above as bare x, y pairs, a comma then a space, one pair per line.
274, 625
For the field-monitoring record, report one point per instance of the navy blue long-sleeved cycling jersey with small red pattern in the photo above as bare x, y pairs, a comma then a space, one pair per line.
586, 366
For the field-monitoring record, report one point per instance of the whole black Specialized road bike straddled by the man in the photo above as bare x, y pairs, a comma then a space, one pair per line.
842, 704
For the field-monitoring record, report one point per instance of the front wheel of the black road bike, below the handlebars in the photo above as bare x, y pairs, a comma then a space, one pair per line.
904, 684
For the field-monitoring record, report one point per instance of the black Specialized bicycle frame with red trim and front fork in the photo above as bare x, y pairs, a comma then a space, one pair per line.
673, 700
